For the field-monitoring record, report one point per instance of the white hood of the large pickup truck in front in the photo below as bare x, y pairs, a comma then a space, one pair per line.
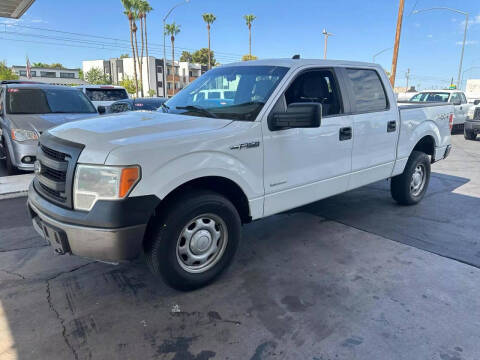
102, 134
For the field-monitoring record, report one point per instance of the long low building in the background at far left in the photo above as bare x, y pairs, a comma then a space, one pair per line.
55, 76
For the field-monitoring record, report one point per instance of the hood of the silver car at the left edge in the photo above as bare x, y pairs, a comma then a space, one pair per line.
42, 122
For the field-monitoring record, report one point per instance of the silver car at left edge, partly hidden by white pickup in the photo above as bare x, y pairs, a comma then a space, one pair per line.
27, 110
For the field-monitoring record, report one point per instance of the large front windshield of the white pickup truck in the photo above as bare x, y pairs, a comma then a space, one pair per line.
231, 92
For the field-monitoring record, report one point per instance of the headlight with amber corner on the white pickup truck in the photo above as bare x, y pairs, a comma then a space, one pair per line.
93, 182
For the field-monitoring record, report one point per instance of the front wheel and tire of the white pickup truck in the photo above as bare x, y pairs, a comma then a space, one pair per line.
194, 241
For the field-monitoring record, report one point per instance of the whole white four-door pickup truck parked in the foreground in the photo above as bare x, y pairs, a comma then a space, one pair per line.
177, 184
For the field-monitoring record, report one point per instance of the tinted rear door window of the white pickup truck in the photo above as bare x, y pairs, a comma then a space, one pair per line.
368, 92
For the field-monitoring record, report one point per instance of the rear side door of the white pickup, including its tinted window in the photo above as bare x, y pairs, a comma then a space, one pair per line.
375, 126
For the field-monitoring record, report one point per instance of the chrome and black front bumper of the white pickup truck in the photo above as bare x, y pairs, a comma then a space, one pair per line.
70, 231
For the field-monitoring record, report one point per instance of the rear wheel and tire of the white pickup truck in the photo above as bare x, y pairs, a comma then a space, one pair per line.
409, 187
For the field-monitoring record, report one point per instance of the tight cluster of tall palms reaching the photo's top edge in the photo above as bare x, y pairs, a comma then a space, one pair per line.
138, 10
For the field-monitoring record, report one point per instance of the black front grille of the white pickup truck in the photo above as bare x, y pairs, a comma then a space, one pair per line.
54, 177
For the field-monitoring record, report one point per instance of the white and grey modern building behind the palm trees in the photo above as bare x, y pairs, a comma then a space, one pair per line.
118, 69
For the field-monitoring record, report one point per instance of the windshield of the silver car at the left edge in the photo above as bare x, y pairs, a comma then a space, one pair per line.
47, 101
